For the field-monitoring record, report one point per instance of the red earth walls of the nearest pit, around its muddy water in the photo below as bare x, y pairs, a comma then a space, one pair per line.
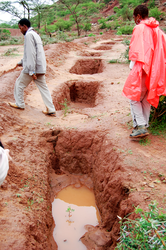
87, 158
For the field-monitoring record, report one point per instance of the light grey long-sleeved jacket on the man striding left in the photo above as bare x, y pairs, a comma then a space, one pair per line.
34, 57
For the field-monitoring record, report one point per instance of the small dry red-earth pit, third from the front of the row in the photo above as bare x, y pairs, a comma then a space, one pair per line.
87, 66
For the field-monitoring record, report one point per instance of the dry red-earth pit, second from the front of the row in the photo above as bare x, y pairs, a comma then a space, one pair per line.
76, 94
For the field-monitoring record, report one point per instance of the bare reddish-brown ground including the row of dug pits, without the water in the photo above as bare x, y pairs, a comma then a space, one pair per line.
87, 143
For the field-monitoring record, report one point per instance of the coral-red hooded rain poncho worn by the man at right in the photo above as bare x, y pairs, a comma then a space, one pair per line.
148, 49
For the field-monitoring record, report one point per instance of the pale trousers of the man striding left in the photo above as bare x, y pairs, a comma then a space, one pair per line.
23, 81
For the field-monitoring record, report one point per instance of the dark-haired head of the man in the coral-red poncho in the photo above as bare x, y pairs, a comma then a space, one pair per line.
140, 12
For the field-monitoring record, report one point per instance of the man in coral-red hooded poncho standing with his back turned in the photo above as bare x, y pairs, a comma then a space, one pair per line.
147, 79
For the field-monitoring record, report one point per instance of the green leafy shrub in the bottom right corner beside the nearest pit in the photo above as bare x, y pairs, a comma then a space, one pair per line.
146, 232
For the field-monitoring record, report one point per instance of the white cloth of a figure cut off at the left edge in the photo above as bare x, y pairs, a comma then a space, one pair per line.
4, 164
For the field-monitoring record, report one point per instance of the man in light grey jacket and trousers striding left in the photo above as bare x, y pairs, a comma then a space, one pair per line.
34, 68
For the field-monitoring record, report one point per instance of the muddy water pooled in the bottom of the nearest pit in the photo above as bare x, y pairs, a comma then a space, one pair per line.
73, 208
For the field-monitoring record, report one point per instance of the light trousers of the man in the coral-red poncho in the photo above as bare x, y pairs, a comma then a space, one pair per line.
140, 110
